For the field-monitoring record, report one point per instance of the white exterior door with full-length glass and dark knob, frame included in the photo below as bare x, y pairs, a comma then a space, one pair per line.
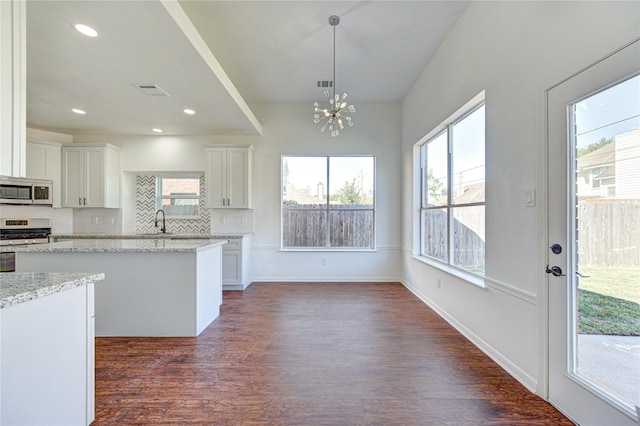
593, 259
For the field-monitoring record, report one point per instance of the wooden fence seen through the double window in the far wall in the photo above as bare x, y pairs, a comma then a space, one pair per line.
306, 225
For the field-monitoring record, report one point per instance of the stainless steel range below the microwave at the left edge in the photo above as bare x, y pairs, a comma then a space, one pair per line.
19, 232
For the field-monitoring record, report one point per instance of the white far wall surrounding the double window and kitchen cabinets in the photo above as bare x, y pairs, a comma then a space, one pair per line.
289, 129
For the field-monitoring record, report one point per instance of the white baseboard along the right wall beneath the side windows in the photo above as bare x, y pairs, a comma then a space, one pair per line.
521, 376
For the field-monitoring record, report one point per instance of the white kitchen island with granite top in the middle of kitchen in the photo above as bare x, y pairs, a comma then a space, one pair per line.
153, 287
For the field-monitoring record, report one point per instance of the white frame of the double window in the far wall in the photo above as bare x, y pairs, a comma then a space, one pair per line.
327, 209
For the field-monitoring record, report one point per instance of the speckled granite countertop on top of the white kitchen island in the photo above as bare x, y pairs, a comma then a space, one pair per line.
112, 245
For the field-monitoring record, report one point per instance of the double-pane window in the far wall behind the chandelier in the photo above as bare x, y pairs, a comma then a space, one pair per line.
328, 202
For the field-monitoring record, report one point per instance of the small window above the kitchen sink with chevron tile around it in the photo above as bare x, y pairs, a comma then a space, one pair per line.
178, 196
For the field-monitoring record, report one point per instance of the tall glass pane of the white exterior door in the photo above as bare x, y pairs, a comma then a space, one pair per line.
606, 140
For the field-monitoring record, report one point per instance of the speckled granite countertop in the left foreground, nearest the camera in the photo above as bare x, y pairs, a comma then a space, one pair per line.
20, 287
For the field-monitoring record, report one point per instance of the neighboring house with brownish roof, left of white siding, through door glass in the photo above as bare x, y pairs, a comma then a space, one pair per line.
595, 173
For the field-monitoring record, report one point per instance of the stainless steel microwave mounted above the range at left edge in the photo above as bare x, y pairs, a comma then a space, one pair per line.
26, 191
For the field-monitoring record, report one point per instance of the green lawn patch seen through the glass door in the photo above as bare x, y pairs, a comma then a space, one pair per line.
609, 301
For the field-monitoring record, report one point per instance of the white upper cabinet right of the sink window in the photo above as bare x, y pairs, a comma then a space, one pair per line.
229, 176
